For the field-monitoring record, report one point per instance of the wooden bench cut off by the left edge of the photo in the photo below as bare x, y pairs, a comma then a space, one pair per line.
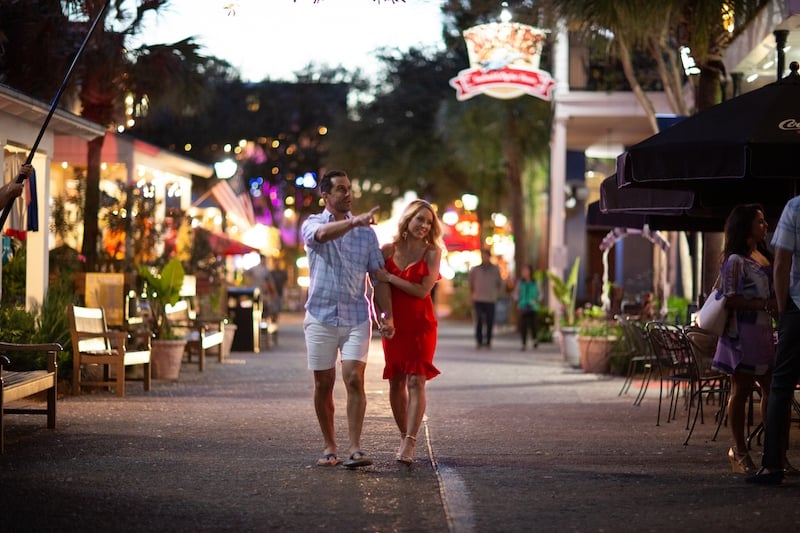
16, 385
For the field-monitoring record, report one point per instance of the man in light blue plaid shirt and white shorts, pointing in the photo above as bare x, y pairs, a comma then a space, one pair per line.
342, 249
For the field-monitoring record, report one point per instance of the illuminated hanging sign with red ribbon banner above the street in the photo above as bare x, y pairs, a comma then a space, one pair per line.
504, 62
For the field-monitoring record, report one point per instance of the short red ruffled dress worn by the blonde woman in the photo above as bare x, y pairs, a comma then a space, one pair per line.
411, 349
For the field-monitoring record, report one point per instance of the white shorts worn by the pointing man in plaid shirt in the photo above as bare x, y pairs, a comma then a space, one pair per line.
324, 342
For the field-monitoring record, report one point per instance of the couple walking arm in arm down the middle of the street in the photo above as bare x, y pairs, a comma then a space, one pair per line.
342, 249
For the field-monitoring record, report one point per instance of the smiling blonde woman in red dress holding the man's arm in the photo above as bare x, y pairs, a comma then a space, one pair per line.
412, 269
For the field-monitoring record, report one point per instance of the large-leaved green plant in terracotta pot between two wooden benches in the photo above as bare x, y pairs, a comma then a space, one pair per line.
163, 289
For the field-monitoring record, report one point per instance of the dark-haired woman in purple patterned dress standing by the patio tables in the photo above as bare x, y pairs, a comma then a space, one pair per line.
746, 349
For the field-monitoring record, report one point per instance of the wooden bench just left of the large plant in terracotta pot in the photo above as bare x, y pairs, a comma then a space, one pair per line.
93, 345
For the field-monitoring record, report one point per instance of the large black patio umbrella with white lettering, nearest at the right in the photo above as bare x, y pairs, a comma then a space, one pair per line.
742, 150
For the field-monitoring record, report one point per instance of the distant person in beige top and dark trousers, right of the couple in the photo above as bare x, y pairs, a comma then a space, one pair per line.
485, 283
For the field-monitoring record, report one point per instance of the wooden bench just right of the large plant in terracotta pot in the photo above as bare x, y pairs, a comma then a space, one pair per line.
201, 336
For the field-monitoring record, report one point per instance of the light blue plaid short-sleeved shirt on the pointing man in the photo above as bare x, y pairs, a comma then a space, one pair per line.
337, 294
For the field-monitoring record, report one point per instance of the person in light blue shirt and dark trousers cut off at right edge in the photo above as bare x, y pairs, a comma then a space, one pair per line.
786, 271
